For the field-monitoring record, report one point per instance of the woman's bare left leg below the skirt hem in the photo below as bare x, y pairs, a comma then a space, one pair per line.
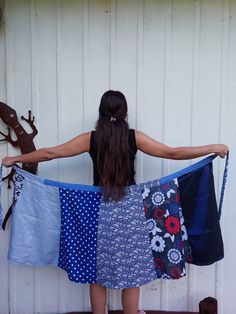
98, 298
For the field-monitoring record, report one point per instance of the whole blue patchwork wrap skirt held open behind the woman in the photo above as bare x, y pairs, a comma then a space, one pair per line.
117, 244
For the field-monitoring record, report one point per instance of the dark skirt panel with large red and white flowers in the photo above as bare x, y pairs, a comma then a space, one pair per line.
167, 232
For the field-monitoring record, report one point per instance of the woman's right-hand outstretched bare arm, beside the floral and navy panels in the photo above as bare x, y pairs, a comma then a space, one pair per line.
154, 148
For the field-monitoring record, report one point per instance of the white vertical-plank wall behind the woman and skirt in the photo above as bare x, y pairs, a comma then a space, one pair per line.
175, 62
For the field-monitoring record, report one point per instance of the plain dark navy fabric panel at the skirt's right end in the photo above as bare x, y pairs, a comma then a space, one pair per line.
198, 202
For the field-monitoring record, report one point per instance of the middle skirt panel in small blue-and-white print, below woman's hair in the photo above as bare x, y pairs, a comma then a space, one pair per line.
124, 257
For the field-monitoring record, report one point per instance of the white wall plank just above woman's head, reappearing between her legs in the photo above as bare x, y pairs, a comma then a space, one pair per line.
123, 72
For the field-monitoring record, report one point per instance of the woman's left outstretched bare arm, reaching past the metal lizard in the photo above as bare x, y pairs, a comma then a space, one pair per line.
78, 145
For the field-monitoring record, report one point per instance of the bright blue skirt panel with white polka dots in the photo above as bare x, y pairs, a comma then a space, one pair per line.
78, 241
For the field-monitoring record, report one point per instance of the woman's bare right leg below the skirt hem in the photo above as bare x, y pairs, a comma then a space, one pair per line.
130, 300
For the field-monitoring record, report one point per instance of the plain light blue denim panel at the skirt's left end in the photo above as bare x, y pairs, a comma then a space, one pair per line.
36, 219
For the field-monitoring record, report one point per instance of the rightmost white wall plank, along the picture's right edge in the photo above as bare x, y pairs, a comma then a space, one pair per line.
226, 281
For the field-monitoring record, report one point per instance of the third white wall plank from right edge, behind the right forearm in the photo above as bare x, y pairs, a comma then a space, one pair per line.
177, 114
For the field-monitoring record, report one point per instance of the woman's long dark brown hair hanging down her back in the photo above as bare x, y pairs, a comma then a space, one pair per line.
112, 144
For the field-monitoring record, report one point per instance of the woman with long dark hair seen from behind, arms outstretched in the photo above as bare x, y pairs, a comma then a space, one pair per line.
112, 148
